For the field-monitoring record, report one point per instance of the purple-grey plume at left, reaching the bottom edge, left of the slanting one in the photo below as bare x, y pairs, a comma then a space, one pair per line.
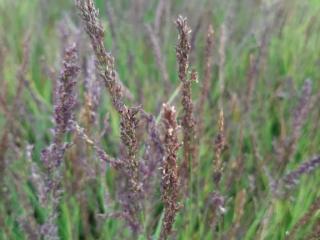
52, 156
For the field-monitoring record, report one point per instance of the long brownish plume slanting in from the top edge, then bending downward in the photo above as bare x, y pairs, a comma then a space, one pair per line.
128, 116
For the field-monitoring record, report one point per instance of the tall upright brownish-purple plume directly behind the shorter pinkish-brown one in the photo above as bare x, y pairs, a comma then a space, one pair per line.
188, 124
